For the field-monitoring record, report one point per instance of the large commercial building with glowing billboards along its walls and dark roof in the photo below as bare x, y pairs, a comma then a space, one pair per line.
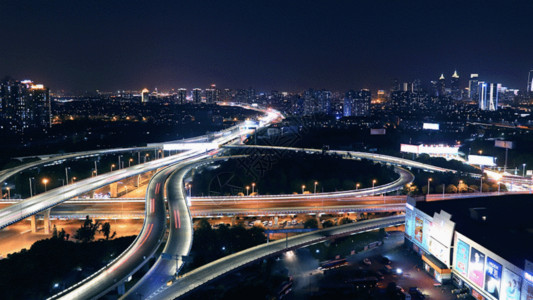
484, 244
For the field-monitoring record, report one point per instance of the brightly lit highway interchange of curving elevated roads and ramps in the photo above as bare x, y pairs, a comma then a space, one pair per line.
180, 236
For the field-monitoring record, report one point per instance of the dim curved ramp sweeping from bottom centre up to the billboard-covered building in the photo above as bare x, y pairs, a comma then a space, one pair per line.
206, 273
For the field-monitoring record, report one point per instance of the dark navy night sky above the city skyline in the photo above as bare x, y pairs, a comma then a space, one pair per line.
284, 45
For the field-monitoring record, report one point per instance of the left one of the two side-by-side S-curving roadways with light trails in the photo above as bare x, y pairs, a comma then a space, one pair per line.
136, 255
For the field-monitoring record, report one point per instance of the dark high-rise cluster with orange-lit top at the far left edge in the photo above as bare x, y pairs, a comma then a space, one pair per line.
24, 105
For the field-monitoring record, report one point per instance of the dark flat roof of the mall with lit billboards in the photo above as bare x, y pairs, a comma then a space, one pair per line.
502, 224
